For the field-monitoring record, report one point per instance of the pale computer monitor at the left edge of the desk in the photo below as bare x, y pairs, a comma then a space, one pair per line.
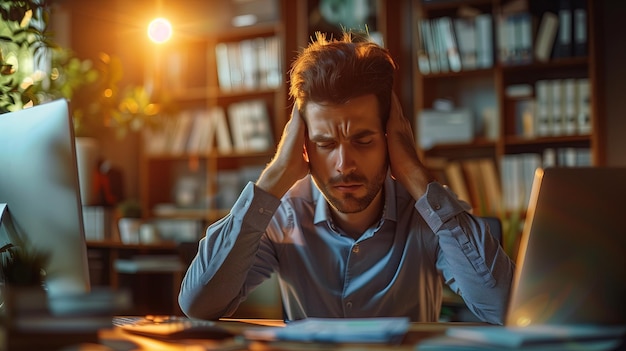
39, 185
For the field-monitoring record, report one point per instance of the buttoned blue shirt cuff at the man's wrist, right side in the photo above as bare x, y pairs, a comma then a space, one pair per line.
439, 204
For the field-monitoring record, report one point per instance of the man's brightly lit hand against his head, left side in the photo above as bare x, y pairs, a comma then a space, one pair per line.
288, 164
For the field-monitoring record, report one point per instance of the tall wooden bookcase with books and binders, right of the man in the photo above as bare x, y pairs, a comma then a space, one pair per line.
524, 73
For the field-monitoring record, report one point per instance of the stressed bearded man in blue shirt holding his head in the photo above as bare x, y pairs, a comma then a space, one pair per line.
345, 213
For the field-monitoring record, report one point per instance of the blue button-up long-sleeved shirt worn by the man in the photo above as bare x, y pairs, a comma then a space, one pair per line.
395, 268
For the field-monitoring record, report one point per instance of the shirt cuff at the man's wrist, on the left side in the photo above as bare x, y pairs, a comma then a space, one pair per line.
256, 205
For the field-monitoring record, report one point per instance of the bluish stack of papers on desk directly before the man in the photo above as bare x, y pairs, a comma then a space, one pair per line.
336, 330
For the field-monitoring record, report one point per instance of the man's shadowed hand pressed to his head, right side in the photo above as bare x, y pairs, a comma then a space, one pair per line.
404, 162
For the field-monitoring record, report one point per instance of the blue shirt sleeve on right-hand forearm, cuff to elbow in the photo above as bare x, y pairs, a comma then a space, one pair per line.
471, 261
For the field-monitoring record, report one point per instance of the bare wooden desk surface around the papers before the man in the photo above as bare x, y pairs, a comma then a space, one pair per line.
119, 340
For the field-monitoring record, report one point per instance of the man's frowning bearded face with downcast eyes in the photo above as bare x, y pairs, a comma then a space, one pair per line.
347, 151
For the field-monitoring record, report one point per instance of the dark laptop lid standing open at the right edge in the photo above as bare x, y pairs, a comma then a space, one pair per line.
571, 265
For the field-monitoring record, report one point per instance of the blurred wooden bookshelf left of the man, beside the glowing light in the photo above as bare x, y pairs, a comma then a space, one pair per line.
229, 87
